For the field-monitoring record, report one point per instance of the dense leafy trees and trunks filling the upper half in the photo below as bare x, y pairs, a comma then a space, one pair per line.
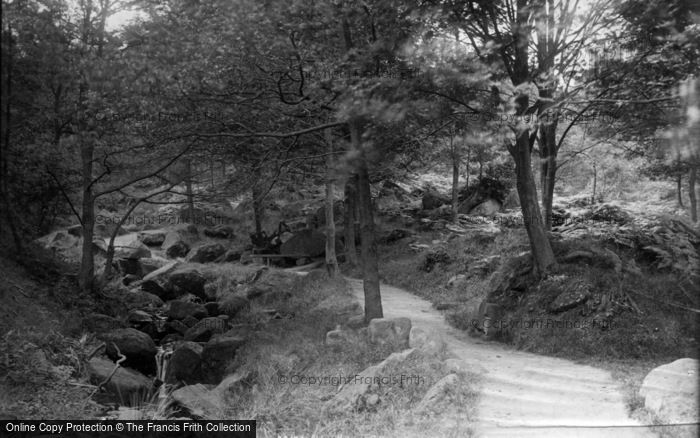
559, 94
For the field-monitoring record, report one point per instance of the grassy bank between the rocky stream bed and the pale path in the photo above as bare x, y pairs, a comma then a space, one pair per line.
287, 353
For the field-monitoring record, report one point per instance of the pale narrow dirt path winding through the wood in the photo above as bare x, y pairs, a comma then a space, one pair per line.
524, 394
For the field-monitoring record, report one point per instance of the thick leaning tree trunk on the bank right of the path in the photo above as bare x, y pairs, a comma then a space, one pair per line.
539, 242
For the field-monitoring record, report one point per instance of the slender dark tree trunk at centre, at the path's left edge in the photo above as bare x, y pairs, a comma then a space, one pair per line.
370, 267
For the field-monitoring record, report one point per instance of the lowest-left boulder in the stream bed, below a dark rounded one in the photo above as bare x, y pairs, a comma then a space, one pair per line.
126, 384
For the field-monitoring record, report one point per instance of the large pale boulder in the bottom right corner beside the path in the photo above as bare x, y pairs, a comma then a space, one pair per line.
671, 393
